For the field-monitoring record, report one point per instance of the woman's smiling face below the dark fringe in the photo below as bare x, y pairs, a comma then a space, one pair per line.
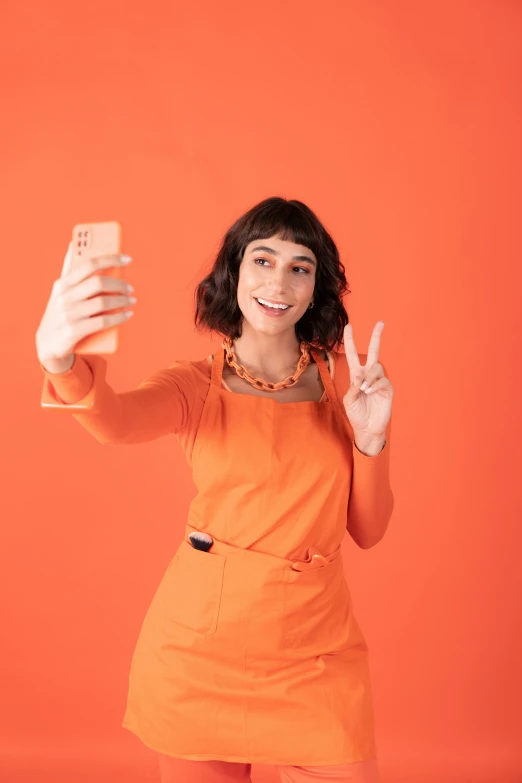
278, 271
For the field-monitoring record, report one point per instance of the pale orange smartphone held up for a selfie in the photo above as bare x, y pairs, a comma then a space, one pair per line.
95, 239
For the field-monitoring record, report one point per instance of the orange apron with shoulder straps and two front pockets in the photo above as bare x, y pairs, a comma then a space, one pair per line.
251, 652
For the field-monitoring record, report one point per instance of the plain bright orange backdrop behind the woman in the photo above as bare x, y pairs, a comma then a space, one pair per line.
400, 124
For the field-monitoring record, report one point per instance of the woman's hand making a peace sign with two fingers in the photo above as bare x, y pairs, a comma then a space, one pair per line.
368, 408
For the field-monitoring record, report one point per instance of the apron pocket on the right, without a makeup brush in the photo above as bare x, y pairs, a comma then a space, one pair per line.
316, 607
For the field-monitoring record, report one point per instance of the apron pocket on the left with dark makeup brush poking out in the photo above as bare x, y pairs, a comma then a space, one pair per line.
195, 585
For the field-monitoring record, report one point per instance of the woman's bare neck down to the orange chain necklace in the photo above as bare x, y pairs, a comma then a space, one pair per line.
271, 357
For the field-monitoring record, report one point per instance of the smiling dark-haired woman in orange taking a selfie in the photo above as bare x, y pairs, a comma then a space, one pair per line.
250, 651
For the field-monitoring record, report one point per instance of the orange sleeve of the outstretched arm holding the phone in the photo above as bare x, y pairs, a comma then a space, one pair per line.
161, 404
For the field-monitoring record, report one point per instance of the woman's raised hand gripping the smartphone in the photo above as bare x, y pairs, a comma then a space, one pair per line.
77, 308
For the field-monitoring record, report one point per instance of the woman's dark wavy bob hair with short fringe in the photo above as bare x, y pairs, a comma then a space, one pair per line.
215, 296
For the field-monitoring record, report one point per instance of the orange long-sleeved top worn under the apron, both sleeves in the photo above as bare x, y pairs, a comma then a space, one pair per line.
170, 401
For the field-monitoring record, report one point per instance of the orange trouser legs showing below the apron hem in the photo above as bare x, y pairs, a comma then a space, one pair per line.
174, 770
